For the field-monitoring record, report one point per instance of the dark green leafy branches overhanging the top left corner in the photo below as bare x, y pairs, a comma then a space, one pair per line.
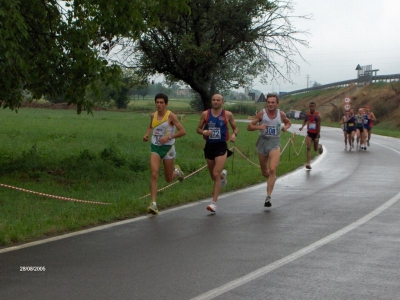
51, 47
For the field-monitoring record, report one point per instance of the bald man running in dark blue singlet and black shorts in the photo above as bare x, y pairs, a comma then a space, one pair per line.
214, 127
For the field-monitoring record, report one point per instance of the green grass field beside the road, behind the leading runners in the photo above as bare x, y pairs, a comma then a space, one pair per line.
102, 158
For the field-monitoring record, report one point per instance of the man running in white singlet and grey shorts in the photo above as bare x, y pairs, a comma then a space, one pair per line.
268, 121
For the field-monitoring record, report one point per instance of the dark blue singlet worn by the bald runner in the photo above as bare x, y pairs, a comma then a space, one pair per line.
217, 126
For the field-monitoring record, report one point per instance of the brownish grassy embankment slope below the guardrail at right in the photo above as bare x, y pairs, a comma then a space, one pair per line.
382, 97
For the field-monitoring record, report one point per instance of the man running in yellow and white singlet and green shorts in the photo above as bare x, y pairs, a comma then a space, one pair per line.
163, 125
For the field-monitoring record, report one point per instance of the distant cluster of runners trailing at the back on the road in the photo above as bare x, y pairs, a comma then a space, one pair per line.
357, 128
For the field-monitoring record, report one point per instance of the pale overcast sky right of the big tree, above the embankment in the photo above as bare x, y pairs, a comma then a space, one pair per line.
343, 34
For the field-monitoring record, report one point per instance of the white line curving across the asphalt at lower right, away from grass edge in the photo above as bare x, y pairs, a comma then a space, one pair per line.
275, 265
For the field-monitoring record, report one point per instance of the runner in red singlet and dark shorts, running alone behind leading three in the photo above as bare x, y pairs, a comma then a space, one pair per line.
313, 121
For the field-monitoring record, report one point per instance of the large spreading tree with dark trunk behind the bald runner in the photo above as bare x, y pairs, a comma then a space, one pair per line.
220, 45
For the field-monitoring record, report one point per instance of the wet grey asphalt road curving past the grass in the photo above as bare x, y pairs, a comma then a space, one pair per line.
332, 233
